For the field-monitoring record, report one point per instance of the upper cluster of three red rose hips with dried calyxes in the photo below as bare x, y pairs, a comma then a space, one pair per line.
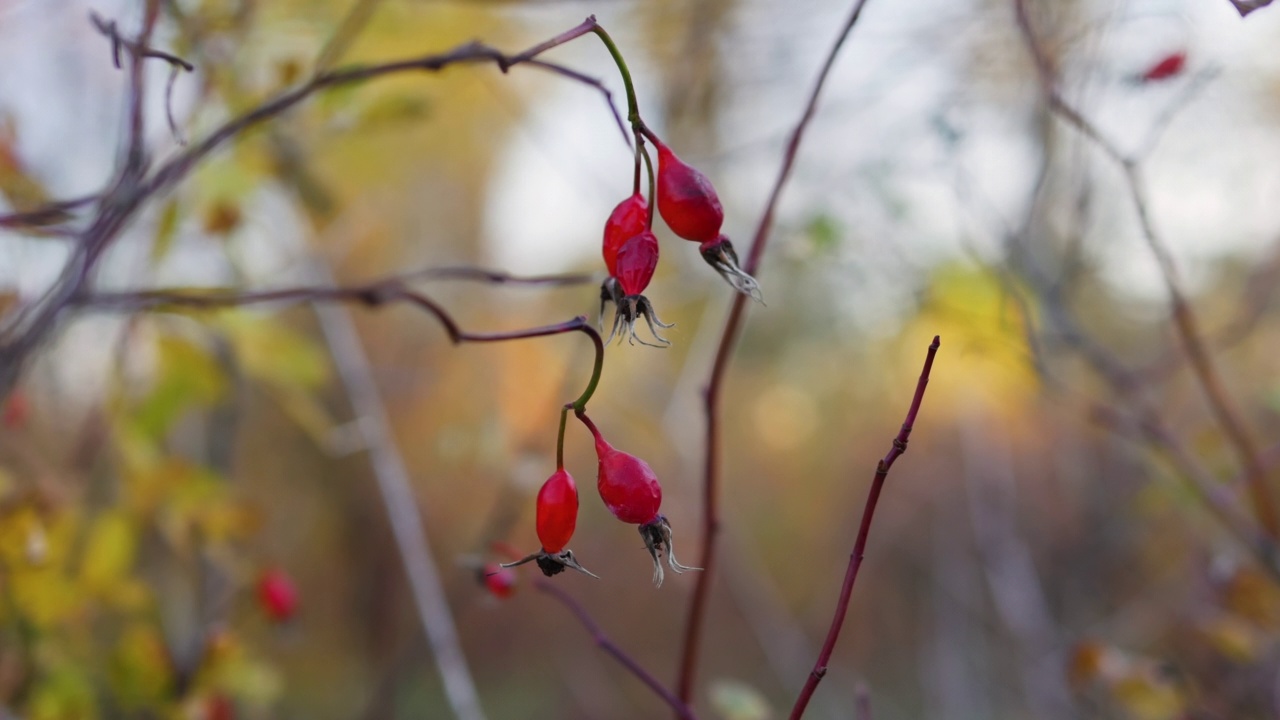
688, 203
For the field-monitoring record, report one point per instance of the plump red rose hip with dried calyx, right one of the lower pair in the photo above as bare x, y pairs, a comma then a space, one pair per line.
633, 494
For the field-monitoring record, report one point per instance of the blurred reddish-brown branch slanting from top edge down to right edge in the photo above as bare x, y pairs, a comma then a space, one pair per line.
1185, 318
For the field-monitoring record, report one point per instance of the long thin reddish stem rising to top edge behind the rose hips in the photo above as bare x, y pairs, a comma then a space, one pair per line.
711, 398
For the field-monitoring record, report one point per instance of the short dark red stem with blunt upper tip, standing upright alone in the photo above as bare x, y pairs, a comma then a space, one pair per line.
856, 558
